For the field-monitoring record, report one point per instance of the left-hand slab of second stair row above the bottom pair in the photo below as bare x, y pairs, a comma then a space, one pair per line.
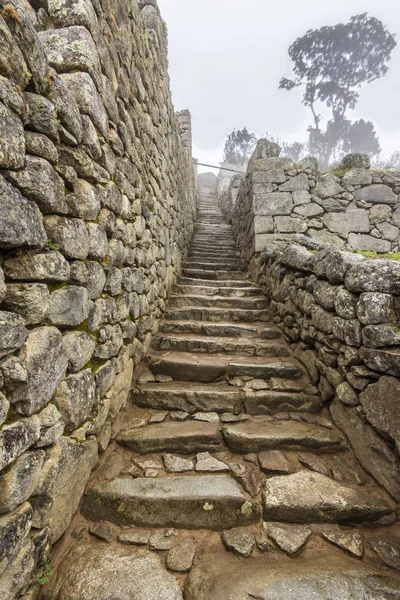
172, 436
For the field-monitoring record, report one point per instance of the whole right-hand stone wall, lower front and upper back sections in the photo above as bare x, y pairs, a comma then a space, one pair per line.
339, 310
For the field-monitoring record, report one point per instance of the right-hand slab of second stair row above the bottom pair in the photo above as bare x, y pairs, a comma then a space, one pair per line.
259, 435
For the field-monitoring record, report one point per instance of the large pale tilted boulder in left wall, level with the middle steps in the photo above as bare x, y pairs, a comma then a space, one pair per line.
44, 359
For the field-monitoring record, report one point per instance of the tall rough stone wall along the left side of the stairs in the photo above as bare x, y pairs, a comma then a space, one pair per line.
97, 205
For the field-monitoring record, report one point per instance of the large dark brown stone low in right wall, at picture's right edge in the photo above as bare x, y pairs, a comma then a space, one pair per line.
380, 402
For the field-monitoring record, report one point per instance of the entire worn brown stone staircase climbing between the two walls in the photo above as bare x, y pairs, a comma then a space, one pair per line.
226, 447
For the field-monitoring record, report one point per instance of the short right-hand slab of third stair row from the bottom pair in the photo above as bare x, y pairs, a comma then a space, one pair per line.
265, 402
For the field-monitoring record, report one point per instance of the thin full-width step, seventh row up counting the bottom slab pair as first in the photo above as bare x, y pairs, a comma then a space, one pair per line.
204, 313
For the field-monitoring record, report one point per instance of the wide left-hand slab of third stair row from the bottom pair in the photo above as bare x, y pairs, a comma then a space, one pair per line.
189, 397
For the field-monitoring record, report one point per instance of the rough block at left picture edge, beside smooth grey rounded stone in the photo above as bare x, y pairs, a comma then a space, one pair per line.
30, 300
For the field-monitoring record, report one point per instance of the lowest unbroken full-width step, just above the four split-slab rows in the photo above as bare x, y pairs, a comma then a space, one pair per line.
192, 343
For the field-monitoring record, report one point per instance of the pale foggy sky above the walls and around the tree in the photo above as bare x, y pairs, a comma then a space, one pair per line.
227, 57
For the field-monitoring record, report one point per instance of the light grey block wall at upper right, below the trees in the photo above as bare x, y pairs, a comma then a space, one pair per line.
355, 209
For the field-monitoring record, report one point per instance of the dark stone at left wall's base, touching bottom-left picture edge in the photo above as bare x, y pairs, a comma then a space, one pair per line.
14, 529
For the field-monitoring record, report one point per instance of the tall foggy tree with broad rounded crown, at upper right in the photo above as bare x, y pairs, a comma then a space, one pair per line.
330, 65
